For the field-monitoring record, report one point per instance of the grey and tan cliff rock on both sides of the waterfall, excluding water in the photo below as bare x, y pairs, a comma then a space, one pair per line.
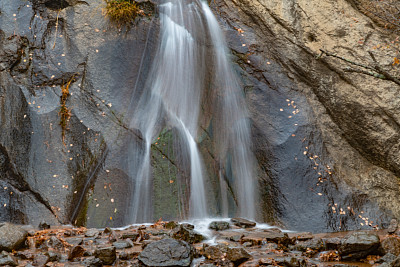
326, 141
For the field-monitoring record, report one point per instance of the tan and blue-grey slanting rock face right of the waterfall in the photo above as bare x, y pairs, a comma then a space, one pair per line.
327, 141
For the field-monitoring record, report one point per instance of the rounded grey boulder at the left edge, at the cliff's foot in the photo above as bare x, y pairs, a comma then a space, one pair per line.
12, 236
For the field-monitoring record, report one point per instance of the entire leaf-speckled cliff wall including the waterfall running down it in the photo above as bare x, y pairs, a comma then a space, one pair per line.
325, 141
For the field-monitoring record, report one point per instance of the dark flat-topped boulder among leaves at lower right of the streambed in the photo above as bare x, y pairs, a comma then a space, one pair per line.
359, 245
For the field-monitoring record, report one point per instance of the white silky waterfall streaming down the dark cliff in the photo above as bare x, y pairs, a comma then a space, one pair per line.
190, 60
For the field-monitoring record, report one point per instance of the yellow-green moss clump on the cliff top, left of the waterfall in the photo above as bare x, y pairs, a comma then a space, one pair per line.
121, 12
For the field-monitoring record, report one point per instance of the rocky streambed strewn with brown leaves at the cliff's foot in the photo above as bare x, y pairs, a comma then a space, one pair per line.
237, 242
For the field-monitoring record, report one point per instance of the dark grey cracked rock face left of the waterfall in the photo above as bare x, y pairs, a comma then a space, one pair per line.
46, 170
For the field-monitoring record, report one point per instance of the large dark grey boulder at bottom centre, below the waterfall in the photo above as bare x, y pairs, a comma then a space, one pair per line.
167, 252
